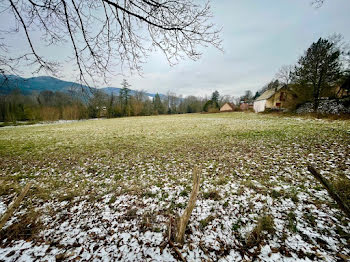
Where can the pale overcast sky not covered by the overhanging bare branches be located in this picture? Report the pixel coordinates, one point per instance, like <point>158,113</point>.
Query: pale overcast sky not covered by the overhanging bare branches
<point>258,37</point>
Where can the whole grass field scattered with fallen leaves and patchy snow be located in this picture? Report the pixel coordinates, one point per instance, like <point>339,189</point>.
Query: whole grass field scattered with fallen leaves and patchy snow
<point>105,189</point>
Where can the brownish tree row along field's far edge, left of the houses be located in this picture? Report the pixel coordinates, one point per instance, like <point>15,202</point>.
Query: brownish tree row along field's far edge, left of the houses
<point>51,106</point>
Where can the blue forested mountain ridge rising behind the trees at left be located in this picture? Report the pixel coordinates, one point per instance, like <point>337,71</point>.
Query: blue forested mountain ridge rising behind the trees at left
<point>37,84</point>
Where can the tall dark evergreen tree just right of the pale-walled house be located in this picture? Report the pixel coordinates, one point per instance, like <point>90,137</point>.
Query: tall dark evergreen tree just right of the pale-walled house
<point>319,67</point>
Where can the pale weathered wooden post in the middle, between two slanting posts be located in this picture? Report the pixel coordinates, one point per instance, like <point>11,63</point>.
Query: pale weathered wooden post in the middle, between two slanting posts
<point>183,221</point>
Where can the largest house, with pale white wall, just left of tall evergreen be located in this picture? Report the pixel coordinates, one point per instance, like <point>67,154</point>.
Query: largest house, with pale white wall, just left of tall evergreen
<point>274,98</point>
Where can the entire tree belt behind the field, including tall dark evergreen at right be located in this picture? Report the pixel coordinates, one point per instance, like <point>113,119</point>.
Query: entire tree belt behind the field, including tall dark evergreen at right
<point>319,72</point>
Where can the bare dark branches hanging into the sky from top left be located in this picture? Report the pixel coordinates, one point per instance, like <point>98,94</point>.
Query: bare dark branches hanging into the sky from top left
<point>104,34</point>
